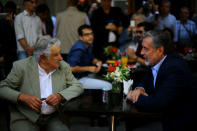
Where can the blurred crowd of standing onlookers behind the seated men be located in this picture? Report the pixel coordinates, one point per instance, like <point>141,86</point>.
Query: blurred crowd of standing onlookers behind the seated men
<point>111,26</point>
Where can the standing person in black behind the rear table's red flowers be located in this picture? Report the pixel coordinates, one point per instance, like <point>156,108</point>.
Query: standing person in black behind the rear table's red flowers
<point>106,22</point>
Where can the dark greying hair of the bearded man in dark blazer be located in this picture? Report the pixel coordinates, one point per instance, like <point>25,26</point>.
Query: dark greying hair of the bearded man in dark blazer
<point>160,38</point>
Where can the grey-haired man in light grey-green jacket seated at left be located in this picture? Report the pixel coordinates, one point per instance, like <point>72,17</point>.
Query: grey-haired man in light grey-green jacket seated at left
<point>37,85</point>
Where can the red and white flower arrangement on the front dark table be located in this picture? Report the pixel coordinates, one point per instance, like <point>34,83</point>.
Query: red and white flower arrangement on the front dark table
<point>116,74</point>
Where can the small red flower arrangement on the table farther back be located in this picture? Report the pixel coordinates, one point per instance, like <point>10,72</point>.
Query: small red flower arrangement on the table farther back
<point>112,52</point>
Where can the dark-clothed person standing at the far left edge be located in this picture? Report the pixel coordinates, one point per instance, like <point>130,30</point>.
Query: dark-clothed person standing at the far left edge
<point>8,39</point>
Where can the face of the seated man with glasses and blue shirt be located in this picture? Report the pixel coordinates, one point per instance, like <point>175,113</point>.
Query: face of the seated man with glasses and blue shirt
<point>87,36</point>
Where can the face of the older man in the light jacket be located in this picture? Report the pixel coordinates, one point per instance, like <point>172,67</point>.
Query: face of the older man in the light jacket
<point>54,58</point>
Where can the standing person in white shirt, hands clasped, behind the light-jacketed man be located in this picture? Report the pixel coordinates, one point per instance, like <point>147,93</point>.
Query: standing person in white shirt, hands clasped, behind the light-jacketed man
<point>28,29</point>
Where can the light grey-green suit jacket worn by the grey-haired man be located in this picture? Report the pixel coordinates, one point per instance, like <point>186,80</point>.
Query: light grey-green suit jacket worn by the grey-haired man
<point>24,78</point>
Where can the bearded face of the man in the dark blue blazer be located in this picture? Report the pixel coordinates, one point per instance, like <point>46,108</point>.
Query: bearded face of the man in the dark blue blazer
<point>152,56</point>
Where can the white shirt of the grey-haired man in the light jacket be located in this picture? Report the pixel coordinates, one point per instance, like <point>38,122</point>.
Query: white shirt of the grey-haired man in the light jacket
<point>45,90</point>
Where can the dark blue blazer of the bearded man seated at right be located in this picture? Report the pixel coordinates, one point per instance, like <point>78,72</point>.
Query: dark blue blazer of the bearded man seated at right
<point>173,94</point>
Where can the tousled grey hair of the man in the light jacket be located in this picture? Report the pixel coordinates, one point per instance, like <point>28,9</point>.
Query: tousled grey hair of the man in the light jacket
<point>44,45</point>
